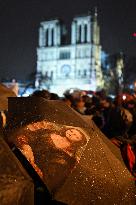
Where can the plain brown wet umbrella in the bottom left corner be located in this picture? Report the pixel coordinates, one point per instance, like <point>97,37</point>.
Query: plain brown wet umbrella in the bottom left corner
<point>16,187</point>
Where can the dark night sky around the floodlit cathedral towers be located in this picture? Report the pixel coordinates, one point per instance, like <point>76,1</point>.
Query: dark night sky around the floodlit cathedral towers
<point>20,20</point>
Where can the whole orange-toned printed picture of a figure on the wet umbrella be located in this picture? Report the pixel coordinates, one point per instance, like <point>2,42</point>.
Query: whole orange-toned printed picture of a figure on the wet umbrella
<point>52,149</point>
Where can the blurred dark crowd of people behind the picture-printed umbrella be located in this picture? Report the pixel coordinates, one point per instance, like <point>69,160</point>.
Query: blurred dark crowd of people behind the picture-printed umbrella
<point>115,117</point>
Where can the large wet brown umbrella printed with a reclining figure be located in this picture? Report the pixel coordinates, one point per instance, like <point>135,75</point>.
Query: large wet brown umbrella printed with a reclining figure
<point>76,162</point>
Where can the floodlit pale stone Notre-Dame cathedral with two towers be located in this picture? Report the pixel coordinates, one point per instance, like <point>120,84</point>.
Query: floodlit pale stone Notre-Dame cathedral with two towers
<point>65,65</point>
